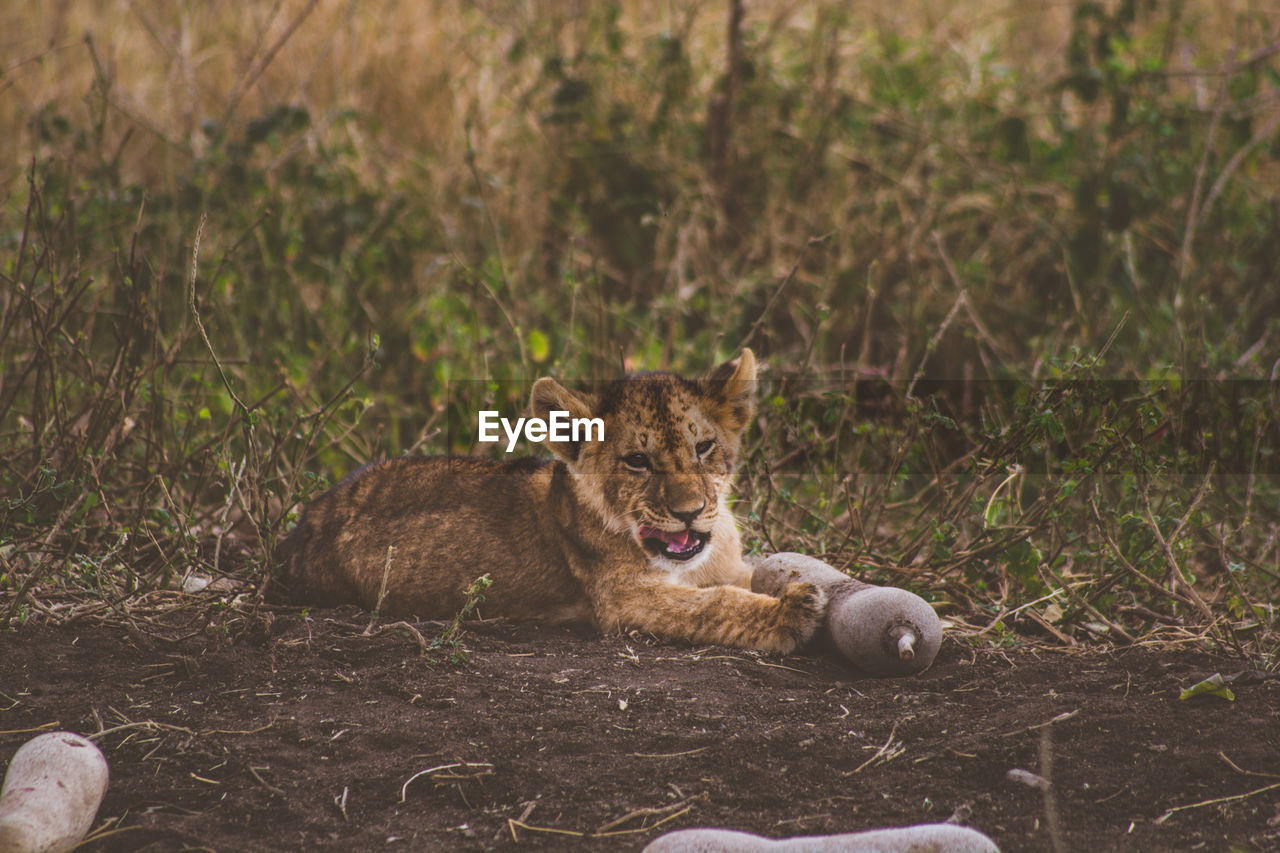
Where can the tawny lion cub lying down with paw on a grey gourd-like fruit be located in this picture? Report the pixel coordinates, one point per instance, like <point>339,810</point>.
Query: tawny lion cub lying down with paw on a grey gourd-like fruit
<point>629,532</point>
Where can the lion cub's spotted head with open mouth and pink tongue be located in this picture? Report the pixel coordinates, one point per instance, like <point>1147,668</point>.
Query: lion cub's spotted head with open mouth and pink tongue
<point>664,471</point>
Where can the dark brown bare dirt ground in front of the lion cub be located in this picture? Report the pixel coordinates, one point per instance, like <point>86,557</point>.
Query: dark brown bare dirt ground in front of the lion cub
<point>304,735</point>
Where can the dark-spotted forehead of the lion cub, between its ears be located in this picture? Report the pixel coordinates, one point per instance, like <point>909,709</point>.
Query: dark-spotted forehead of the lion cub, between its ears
<point>656,412</point>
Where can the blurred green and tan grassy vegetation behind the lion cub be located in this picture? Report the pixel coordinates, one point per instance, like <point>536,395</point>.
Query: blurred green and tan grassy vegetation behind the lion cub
<point>1014,267</point>
